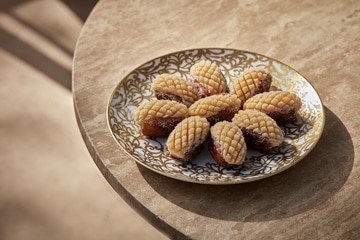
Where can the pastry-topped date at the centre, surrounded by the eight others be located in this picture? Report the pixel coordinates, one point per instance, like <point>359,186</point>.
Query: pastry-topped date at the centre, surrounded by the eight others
<point>216,108</point>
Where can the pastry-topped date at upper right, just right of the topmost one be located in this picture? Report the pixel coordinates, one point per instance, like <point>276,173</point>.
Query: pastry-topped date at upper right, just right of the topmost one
<point>250,83</point>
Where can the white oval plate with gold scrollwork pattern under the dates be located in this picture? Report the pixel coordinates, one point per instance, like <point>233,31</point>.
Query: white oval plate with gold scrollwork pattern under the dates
<point>135,89</point>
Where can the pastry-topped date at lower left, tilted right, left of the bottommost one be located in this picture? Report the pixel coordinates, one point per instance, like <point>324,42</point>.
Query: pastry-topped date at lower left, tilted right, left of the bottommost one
<point>188,138</point>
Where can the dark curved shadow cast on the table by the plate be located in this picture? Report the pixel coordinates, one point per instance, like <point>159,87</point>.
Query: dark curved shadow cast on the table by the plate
<point>302,187</point>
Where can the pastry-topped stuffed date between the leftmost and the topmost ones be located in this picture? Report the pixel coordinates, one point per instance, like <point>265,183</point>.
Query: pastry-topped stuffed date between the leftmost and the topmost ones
<point>173,87</point>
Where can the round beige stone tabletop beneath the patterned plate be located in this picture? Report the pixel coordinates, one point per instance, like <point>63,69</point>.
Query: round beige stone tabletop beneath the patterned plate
<point>318,198</point>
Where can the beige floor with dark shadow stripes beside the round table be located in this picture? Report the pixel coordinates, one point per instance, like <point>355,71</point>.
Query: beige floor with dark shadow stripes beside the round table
<point>50,187</point>
